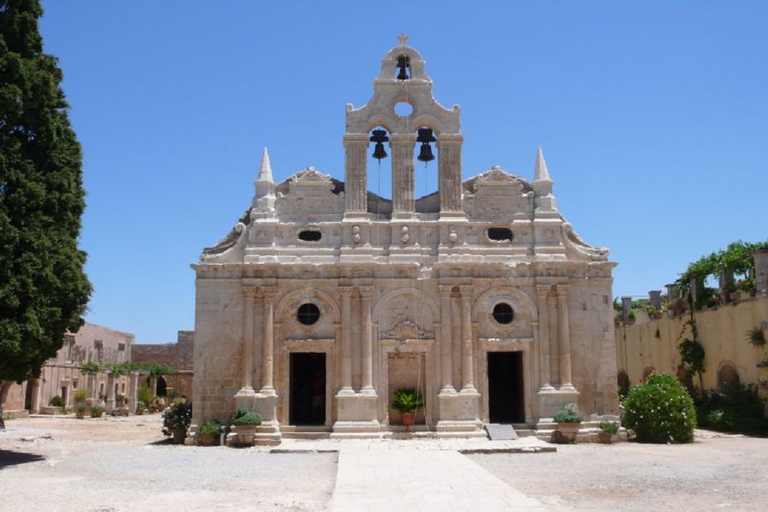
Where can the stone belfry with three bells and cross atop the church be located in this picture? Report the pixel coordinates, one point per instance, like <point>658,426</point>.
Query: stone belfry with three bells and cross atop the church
<point>402,85</point>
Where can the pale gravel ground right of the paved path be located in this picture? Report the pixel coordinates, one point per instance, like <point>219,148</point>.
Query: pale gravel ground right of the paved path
<point>717,471</point>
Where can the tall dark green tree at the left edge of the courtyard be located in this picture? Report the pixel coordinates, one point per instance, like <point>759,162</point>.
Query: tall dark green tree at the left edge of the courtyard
<point>43,288</point>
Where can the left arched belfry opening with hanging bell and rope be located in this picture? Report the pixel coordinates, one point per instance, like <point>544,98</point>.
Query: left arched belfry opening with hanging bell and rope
<point>379,171</point>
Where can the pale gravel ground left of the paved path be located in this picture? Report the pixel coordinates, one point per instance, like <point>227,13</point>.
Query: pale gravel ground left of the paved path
<point>113,464</point>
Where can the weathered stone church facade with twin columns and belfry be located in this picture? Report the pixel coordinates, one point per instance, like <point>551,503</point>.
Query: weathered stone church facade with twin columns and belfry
<point>325,298</point>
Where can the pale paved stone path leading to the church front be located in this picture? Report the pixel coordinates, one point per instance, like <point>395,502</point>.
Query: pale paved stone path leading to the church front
<point>420,480</point>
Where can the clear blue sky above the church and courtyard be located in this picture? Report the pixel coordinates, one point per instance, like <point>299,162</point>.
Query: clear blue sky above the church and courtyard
<point>653,117</point>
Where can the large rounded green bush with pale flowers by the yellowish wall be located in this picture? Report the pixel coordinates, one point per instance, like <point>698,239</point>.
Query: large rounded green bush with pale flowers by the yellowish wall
<point>660,411</point>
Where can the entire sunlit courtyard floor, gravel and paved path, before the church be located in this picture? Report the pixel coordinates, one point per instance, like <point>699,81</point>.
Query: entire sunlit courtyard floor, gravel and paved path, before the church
<point>112,463</point>
